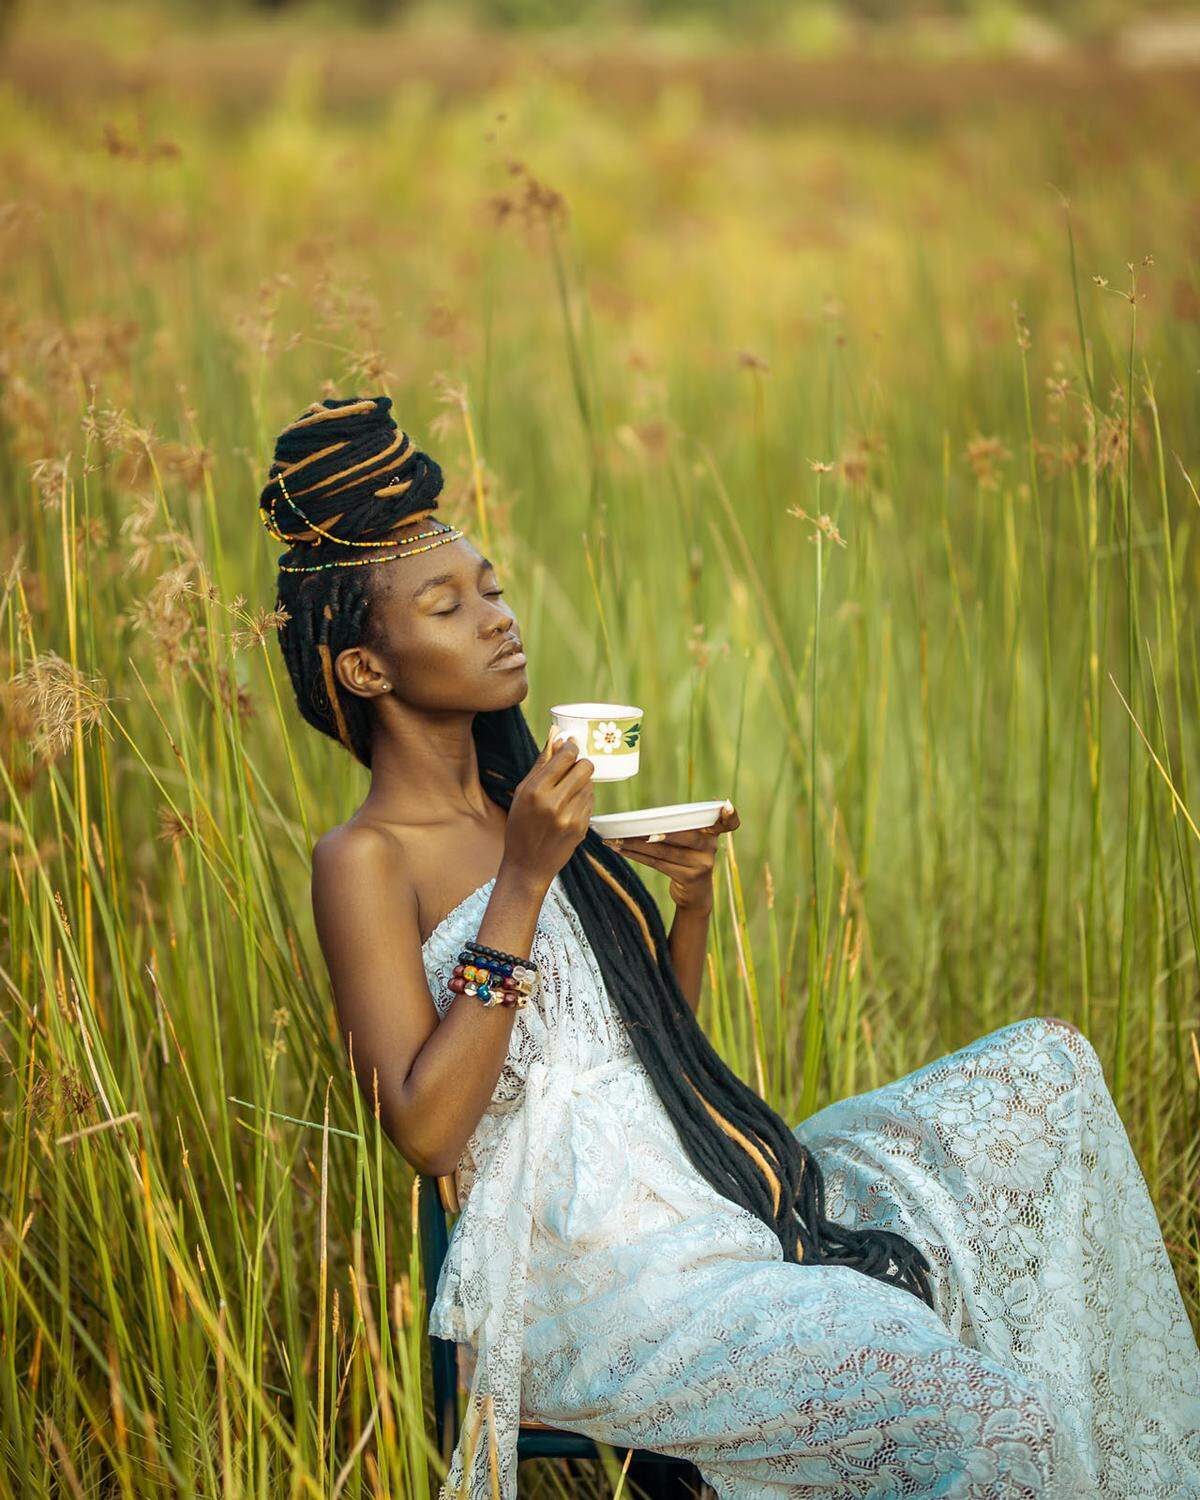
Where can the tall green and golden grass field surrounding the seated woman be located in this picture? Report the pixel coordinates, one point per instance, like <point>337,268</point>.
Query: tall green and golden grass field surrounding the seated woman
<point>850,430</point>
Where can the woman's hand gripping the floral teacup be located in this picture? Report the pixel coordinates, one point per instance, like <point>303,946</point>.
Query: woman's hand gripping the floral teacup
<point>551,809</point>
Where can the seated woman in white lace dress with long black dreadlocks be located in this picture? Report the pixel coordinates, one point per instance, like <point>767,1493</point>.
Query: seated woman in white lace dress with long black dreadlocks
<point>953,1286</point>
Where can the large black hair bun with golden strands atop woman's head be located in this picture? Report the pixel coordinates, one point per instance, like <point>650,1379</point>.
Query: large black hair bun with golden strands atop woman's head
<point>344,467</point>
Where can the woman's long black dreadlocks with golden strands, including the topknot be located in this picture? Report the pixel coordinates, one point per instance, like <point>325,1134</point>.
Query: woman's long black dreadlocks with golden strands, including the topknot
<point>338,461</point>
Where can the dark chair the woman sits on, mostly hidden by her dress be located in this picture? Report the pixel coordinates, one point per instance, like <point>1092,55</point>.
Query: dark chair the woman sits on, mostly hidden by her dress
<point>655,1474</point>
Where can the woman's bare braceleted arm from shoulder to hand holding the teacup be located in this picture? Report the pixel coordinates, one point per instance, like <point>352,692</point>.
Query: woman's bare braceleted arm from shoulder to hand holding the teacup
<point>436,1076</point>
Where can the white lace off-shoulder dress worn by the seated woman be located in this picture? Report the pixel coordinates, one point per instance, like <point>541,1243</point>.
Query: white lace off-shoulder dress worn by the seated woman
<point>608,1289</point>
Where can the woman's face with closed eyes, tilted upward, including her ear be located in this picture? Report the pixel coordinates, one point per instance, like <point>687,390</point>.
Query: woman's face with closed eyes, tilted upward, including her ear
<point>437,622</point>
